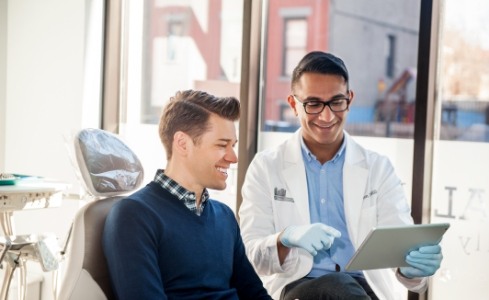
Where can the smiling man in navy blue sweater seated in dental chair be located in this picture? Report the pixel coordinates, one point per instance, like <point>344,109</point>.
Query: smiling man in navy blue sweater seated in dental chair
<point>169,240</point>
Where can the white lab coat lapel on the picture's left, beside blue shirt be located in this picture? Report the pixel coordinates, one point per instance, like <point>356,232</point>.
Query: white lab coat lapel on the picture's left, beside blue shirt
<point>295,177</point>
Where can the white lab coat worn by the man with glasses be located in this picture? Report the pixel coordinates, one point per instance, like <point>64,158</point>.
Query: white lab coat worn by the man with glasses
<point>373,195</point>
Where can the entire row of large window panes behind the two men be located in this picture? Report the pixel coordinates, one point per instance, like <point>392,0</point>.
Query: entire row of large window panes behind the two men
<point>342,27</point>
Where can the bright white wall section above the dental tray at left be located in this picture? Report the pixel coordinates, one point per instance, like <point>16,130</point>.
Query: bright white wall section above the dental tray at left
<point>44,83</point>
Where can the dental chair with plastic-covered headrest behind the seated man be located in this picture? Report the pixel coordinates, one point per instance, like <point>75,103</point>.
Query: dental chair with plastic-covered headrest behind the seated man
<point>109,170</point>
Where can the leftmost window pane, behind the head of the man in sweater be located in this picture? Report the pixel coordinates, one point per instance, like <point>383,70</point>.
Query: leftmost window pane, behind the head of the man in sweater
<point>170,46</point>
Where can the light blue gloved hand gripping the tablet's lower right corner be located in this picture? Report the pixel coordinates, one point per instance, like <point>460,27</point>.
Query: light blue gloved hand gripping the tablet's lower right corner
<point>423,262</point>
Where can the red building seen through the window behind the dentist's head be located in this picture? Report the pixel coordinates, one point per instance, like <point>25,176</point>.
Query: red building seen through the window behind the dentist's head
<point>288,24</point>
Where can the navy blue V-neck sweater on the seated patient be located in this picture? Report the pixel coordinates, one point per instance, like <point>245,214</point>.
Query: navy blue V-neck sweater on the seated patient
<point>156,248</point>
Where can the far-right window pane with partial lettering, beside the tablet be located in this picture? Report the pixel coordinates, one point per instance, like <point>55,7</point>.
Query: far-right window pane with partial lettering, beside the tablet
<point>460,193</point>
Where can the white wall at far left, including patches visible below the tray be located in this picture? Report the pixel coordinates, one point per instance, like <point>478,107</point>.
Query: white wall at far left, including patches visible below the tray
<point>42,61</point>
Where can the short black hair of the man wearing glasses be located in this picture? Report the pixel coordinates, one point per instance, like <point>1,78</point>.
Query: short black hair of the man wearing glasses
<point>322,63</point>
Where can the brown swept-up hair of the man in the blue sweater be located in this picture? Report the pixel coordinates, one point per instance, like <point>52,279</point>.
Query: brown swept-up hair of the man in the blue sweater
<point>189,111</point>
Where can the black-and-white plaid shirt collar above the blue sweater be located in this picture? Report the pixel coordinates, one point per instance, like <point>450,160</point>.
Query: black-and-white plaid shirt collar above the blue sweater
<point>187,197</point>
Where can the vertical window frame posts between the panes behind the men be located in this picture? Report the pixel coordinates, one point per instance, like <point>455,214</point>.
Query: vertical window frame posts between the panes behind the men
<point>251,88</point>
